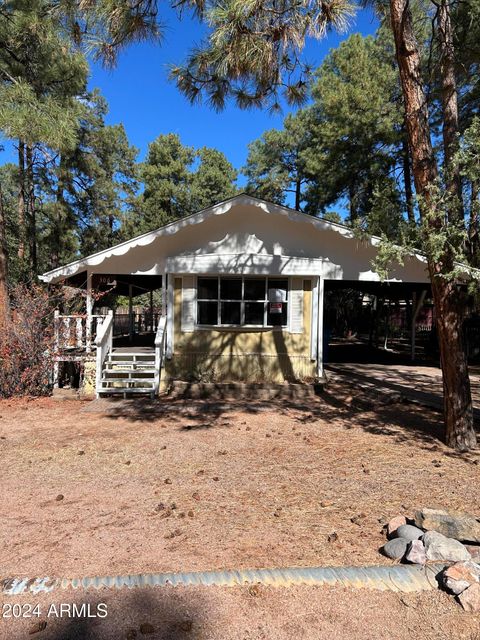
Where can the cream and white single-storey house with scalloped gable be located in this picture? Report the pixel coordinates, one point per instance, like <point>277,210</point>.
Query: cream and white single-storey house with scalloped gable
<point>242,285</point>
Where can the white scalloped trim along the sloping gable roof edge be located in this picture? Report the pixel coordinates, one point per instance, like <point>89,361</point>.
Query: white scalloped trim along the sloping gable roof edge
<point>80,265</point>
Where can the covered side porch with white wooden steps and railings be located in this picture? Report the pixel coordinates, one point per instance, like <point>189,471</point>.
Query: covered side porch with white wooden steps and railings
<point>117,351</point>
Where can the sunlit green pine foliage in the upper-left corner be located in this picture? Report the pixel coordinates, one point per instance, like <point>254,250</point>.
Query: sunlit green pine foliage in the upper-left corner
<point>40,75</point>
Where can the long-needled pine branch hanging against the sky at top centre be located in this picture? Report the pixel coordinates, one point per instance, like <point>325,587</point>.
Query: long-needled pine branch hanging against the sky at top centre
<point>252,52</point>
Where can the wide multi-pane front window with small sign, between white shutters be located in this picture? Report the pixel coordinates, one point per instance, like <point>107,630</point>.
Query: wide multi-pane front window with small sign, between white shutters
<point>235,301</point>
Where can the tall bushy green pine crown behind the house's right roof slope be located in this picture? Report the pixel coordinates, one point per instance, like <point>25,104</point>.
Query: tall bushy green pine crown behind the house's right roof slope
<point>356,126</point>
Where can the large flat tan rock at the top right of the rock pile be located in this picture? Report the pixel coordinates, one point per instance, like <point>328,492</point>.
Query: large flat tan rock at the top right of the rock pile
<point>453,524</point>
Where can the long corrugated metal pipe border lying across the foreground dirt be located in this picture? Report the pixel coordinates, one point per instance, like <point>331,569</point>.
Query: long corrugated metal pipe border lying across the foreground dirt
<point>404,578</point>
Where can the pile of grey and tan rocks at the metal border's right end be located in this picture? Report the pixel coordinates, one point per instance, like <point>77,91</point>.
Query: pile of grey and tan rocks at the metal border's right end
<point>435,535</point>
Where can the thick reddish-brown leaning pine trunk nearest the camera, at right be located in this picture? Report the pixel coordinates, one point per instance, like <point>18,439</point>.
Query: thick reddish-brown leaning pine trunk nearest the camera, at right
<point>458,413</point>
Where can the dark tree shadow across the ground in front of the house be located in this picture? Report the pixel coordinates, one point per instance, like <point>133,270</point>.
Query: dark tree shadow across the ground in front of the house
<point>373,411</point>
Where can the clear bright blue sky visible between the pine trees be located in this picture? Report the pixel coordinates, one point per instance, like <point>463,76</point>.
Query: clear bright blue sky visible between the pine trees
<point>140,95</point>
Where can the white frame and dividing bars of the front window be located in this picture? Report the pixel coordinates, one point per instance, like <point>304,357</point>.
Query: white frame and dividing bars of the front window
<point>242,301</point>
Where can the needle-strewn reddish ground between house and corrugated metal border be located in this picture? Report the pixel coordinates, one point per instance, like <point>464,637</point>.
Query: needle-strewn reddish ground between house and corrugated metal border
<point>185,486</point>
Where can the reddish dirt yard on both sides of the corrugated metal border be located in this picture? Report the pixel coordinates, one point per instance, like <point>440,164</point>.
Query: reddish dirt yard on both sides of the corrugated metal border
<point>101,489</point>
